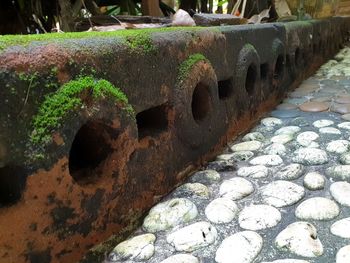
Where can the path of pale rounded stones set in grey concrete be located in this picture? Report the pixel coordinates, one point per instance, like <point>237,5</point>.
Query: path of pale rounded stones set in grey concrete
<point>280,193</point>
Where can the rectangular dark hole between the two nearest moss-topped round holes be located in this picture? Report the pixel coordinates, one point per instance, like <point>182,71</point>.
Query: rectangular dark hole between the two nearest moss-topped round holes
<point>152,122</point>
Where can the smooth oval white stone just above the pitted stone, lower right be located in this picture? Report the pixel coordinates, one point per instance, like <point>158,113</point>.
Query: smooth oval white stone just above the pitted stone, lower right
<point>317,208</point>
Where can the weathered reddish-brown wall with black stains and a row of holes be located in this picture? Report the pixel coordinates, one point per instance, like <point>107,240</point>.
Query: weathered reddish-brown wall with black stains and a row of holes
<point>56,208</point>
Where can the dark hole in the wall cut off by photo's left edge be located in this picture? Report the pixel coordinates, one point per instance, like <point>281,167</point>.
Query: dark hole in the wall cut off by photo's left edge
<point>12,183</point>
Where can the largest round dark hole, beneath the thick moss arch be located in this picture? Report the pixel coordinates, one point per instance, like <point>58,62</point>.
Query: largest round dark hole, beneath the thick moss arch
<point>89,149</point>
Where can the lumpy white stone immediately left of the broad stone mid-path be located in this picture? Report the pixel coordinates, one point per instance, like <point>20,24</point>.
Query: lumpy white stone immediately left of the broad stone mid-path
<point>236,188</point>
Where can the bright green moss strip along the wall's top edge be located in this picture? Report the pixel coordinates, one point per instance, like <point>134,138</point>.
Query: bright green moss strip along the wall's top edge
<point>135,38</point>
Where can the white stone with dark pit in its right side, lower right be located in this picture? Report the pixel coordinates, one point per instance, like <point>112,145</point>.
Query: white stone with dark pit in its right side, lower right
<point>301,239</point>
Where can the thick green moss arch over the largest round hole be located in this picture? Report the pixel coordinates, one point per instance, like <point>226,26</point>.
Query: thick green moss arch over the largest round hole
<point>66,99</point>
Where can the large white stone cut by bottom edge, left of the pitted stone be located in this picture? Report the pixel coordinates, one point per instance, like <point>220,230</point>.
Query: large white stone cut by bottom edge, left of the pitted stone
<point>242,247</point>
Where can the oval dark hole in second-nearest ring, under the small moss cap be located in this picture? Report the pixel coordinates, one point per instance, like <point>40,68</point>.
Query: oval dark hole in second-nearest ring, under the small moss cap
<point>201,102</point>
